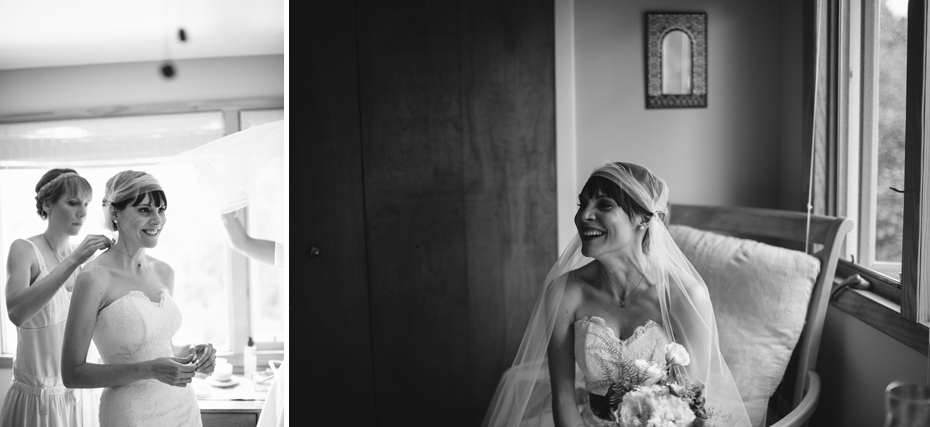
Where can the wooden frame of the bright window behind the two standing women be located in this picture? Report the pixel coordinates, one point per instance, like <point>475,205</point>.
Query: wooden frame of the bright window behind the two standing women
<point>237,264</point>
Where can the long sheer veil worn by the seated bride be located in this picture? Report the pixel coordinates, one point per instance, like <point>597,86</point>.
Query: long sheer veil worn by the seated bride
<point>524,394</point>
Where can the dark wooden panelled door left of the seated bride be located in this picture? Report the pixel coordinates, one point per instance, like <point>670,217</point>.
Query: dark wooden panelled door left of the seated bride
<point>437,187</point>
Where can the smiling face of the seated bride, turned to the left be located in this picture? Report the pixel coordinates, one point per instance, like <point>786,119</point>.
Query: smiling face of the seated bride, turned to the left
<point>603,226</point>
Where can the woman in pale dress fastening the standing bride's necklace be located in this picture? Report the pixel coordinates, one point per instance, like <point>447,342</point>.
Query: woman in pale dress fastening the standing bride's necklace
<point>40,276</point>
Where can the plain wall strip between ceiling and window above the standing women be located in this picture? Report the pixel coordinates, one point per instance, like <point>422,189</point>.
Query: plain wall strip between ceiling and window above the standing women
<point>80,87</point>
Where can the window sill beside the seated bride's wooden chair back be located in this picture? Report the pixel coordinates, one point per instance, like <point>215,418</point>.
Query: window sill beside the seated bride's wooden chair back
<point>882,314</point>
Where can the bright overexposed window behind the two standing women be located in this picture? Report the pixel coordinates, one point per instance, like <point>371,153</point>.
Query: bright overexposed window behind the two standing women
<point>211,281</point>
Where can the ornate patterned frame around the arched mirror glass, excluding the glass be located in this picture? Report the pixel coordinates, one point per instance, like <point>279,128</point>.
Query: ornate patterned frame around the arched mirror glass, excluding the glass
<point>657,26</point>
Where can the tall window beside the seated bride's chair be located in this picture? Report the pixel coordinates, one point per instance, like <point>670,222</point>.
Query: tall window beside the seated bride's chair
<point>887,142</point>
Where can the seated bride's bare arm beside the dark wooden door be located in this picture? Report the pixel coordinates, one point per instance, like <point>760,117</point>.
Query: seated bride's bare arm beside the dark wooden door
<point>562,361</point>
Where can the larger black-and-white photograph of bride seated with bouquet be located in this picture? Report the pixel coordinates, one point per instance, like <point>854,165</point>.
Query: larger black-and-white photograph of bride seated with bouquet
<point>616,213</point>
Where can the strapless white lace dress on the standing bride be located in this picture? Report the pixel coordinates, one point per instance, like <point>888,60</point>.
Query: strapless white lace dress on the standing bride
<point>134,329</point>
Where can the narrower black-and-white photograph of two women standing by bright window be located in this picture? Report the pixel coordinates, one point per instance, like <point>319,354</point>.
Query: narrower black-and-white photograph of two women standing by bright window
<point>114,118</point>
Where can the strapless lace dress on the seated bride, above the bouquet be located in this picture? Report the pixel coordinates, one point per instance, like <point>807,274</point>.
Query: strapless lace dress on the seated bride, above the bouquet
<point>605,359</point>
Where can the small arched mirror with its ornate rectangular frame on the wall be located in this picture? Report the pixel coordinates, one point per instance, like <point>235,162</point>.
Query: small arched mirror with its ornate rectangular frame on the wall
<point>676,60</point>
